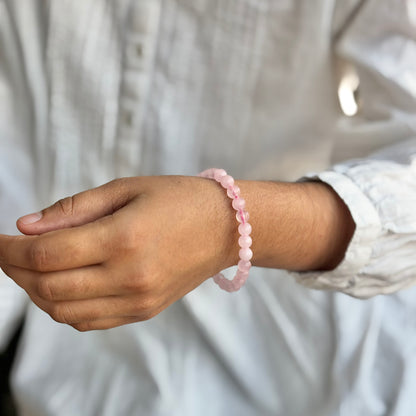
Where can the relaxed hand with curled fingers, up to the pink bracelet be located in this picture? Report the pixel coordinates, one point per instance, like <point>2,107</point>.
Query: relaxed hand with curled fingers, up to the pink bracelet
<point>122,252</point>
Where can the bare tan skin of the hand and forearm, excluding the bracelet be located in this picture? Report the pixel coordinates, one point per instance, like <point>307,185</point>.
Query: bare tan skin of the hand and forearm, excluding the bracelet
<point>123,252</point>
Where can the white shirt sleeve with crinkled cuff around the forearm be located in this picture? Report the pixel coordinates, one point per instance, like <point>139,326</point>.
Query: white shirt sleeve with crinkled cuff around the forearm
<point>379,41</point>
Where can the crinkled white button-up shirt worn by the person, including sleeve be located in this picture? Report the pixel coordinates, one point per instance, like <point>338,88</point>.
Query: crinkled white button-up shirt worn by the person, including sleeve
<point>97,89</point>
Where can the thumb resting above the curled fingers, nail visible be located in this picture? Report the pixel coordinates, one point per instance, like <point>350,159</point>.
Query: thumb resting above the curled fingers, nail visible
<point>77,210</point>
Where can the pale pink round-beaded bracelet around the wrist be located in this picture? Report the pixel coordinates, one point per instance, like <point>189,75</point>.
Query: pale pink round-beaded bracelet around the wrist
<point>245,241</point>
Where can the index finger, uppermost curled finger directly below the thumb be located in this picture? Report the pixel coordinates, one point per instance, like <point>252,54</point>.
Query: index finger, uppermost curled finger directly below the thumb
<point>59,250</point>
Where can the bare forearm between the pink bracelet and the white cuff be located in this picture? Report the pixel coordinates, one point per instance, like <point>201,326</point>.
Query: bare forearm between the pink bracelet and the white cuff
<point>297,226</point>
